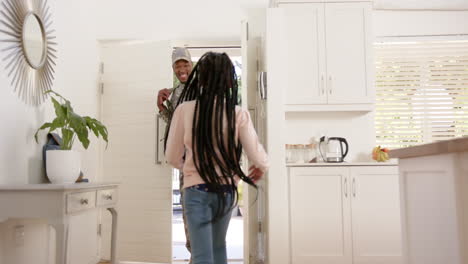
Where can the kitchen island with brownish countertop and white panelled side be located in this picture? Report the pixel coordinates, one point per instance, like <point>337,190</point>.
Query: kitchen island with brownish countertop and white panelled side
<point>434,191</point>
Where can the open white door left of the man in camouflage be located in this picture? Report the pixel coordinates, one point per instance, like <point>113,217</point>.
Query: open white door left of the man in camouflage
<point>132,75</point>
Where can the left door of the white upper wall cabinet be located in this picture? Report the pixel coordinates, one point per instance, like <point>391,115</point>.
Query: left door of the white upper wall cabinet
<point>304,36</point>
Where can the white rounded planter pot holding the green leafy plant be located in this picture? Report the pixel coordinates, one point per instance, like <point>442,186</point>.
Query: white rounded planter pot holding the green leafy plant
<point>63,166</point>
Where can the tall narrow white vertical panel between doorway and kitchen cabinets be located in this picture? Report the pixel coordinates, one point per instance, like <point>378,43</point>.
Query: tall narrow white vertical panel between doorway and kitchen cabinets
<point>278,219</point>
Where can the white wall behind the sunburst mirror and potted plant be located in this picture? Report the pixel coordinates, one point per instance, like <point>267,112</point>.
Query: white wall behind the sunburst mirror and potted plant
<point>76,78</point>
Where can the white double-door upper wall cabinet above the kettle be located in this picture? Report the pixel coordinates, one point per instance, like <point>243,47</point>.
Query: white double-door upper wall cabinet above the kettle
<point>328,59</point>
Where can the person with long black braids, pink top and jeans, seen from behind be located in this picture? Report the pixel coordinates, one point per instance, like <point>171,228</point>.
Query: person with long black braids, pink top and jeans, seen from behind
<point>207,134</point>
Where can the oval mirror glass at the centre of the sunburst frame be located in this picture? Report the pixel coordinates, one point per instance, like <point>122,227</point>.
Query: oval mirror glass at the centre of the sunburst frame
<point>34,44</point>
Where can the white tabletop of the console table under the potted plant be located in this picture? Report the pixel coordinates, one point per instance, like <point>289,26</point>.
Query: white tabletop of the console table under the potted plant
<point>56,187</point>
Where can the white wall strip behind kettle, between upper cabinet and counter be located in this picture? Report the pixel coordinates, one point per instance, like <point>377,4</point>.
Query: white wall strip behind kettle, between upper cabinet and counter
<point>356,127</point>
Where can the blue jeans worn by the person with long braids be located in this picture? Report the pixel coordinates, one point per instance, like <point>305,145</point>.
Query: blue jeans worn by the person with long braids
<point>207,239</point>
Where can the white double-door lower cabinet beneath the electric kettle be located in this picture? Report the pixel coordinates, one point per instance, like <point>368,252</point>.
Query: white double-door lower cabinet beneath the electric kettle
<point>345,214</point>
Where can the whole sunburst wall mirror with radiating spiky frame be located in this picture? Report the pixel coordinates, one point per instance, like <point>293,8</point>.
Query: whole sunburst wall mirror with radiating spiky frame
<point>28,50</point>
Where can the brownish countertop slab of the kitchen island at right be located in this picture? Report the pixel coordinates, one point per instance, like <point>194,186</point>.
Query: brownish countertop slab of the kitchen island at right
<point>441,147</point>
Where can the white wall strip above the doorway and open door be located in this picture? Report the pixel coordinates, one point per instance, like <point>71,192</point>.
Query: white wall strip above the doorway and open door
<point>173,20</point>
